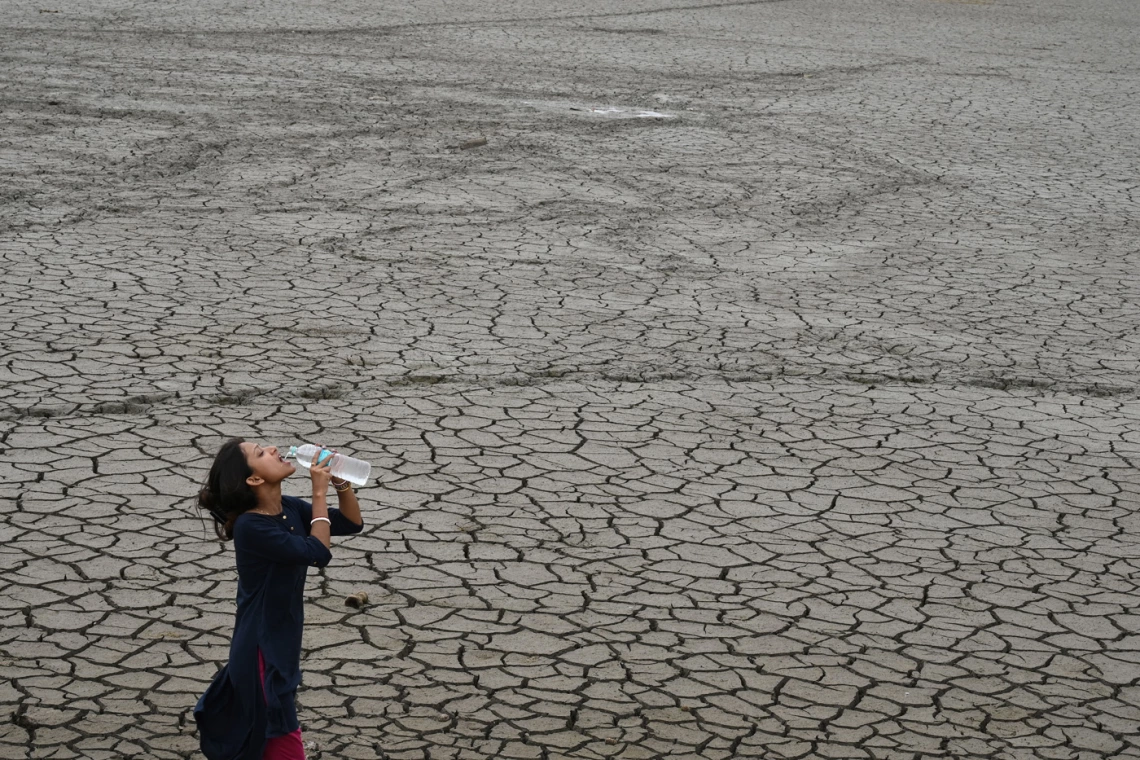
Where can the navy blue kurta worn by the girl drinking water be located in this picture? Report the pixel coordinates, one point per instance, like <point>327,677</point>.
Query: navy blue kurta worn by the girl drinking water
<point>274,553</point>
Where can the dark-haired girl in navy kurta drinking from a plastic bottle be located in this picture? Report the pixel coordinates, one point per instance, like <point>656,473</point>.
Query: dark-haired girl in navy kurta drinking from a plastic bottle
<point>248,713</point>
